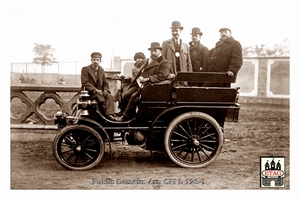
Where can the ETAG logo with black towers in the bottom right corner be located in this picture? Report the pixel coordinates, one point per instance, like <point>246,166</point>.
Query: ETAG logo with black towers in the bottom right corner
<point>272,171</point>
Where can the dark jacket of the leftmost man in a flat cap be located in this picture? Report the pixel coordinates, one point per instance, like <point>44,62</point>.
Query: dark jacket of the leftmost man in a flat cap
<point>90,81</point>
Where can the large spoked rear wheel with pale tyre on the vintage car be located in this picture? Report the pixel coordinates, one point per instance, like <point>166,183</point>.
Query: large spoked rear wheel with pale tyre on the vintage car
<point>193,140</point>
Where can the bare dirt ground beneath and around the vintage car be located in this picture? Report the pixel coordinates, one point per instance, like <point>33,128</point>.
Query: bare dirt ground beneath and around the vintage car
<point>262,130</point>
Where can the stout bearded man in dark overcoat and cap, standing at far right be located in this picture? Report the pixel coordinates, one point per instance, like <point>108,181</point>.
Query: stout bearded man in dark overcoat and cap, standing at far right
<point>226,56</point>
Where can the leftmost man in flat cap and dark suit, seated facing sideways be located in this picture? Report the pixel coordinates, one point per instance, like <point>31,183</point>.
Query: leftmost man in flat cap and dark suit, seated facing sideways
<point>93,79</point>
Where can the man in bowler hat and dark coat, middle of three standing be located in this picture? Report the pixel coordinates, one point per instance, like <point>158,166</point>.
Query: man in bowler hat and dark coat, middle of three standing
<point>199,53</point>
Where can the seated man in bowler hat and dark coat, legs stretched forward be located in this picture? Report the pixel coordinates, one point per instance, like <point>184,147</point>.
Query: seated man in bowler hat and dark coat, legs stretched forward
<point>154,70</point>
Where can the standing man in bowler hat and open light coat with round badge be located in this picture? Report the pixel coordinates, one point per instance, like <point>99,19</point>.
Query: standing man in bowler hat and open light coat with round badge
<point>176,51</point>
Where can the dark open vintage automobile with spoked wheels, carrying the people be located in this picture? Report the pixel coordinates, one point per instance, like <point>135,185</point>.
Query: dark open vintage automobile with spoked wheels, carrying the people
<point>187,122</point>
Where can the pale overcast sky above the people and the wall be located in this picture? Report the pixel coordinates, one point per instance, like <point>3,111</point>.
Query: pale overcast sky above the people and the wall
<point>121,28</point>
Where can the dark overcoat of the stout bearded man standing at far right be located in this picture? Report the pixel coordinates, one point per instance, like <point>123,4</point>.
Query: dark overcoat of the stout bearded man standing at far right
<point>226,56</point>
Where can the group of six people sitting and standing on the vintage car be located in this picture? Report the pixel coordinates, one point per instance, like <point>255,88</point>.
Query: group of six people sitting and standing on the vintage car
<point>172,56</point>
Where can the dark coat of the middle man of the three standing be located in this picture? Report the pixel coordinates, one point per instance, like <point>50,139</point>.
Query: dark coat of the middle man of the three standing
<point>199,57</point>
